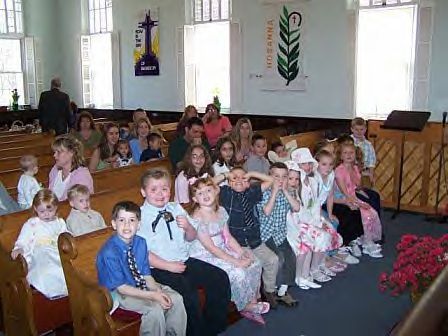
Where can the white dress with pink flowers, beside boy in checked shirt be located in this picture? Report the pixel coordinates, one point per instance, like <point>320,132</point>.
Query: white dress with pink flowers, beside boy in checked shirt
<point>308,230</point>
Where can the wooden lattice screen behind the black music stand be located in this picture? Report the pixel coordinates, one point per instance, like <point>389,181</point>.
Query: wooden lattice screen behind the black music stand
<point>420,168</point>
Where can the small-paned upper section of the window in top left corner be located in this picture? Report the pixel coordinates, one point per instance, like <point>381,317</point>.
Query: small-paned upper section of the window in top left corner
<point>11,17</point>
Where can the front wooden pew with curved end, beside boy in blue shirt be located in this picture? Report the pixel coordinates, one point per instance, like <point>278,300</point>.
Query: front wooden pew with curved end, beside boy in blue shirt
<point>89,302</point>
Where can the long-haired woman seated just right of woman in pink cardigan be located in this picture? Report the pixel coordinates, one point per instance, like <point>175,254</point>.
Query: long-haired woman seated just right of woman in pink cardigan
<point>105,156</point>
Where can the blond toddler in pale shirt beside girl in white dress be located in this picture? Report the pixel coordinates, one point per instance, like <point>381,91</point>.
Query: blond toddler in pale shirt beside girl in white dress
<point>82,219</point>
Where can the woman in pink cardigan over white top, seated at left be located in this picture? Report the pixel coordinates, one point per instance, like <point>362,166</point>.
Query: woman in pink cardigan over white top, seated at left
<point>69,167</point>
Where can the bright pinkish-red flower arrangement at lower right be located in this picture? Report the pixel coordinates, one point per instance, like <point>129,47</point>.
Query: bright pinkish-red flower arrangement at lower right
<point>420,260</point>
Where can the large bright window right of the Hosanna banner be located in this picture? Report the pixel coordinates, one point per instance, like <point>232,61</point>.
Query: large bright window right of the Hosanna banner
<point>386,40</point>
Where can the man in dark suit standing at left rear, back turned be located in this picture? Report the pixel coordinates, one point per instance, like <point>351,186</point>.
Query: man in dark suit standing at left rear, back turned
<point>54,109</point>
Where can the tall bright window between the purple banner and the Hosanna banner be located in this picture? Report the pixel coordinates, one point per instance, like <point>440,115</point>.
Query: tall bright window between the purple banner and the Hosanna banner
<point>207,54</point>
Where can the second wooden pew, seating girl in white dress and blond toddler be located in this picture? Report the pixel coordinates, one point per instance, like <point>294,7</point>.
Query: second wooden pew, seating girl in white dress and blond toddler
<point>25,311</point>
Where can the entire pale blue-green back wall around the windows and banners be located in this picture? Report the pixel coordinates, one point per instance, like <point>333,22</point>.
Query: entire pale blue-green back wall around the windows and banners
<point>328,58</point>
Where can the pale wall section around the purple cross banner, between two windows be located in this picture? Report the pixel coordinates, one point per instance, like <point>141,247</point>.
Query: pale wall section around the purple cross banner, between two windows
<point>152,92</point>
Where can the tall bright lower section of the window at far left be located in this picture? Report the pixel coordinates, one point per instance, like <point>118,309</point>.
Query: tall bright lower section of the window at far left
<point>11,73</point>
